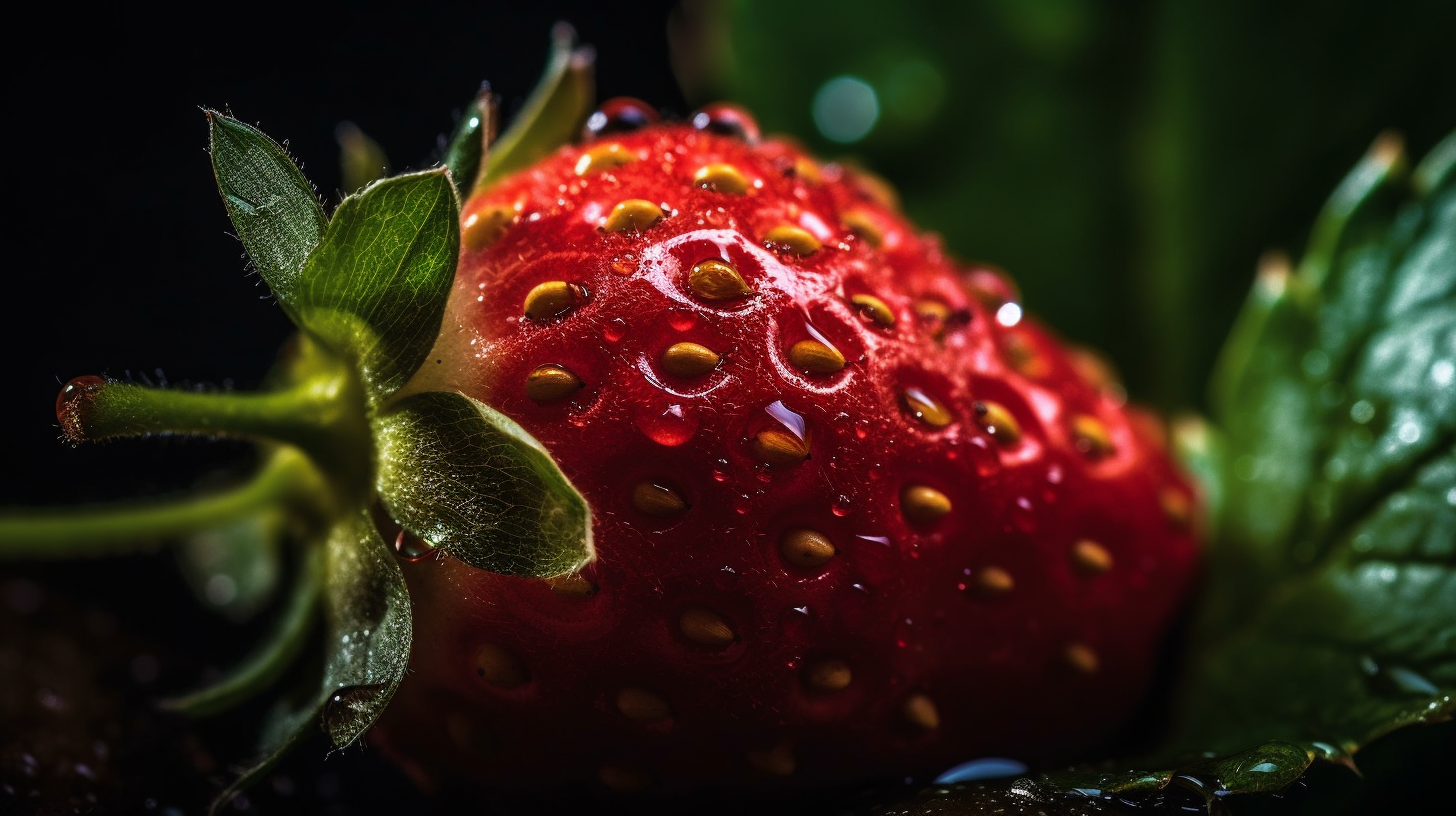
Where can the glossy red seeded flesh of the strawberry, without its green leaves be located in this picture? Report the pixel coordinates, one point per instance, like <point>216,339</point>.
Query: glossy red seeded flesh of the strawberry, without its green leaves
<point>855,515</point>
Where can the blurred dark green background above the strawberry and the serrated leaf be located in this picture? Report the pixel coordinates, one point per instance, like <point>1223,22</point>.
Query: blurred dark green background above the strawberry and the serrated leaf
<point>1128,162</point>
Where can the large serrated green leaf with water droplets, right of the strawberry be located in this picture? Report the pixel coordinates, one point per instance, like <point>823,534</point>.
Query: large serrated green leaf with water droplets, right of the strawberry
<point>1332,605</point>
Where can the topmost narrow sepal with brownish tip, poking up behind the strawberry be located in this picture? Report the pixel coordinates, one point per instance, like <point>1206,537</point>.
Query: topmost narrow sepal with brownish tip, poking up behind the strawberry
<point>553,116</point>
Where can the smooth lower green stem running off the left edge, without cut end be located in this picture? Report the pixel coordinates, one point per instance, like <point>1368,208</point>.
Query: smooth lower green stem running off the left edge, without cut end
<point>286,479</point>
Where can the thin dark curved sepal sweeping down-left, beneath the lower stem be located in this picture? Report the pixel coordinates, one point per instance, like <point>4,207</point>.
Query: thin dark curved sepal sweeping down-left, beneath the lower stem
<point>273,655</point>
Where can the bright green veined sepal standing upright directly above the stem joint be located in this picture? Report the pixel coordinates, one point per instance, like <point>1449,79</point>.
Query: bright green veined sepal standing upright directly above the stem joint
<point>375,289</point>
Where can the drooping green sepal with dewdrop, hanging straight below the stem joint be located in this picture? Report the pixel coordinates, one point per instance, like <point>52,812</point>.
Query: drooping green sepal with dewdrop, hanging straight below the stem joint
<point>368,639</point>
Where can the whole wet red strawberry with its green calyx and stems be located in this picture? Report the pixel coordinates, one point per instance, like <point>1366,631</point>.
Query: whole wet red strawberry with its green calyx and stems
<point>672,458</point>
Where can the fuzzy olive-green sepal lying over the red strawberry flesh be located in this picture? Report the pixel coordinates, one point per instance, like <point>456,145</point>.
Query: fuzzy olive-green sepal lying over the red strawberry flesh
<point>470,480</point>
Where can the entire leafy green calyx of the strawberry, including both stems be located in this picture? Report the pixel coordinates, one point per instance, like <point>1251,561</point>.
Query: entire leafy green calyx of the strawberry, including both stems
<point>347,455</point>
